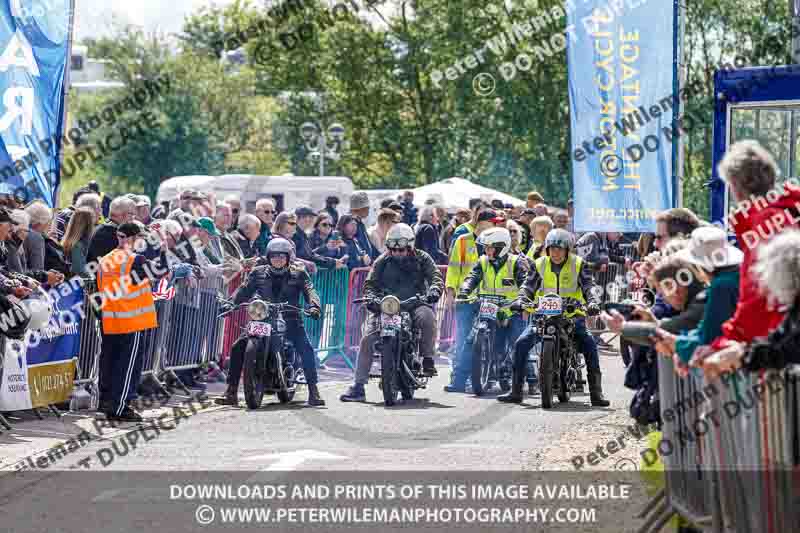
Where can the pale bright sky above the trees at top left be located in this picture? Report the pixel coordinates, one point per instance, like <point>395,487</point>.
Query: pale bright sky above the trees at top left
<point>93,17</point>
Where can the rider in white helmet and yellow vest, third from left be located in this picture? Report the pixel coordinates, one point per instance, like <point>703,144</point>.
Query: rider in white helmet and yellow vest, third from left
<point>496,273</point>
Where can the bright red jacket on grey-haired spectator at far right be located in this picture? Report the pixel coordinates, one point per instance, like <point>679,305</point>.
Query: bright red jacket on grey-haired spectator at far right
<point>753,227</point>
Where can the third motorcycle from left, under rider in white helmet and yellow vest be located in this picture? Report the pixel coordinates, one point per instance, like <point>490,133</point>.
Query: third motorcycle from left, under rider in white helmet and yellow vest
<point>488,363</point>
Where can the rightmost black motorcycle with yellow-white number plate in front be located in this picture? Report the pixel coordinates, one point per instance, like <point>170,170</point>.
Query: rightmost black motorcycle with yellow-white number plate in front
<point>560,363</point>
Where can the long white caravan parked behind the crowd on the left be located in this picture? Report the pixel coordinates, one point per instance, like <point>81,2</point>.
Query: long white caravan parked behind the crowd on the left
<point>288,191</point>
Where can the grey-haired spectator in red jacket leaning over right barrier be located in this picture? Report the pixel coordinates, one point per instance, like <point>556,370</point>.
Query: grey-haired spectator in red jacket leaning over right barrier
<point>763,211</point>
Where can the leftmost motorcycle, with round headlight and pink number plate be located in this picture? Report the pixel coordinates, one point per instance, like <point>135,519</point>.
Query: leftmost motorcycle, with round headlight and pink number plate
<point>271,362</point>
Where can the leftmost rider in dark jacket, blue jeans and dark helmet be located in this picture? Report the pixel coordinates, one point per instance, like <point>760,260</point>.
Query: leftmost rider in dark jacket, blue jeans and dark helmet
<point>281,280</point>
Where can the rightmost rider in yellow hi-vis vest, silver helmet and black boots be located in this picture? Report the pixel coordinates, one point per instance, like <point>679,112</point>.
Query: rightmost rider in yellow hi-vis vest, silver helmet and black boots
<point>562,273</point>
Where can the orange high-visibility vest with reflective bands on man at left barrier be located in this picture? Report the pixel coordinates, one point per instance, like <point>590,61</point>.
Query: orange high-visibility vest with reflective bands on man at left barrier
<point>127,307</point>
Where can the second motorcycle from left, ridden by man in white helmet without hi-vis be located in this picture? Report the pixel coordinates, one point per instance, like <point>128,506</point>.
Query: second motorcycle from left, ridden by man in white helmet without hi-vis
<point>398,348</point>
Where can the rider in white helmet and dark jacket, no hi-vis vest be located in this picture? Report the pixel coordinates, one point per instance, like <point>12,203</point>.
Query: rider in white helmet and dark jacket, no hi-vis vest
<point>404,272</point>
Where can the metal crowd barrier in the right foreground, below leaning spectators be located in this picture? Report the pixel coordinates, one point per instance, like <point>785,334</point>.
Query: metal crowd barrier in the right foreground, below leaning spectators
<point>731,453</point>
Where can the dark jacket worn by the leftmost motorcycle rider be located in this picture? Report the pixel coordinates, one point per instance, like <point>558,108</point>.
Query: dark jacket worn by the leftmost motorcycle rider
<point>287,287</point>
